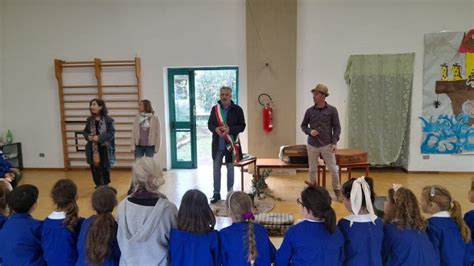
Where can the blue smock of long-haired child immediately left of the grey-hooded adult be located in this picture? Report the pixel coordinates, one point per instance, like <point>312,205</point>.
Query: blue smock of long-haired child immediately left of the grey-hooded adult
<point>114,251</point>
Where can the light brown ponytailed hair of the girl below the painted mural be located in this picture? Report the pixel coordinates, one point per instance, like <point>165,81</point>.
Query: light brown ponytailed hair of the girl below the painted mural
<point>441,196</point>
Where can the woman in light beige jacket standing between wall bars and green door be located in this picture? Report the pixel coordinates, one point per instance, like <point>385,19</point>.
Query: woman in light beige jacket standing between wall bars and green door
<point>146,131</point>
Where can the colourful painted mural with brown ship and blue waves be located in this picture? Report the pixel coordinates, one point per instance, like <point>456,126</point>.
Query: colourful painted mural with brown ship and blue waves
<point>448,93</point>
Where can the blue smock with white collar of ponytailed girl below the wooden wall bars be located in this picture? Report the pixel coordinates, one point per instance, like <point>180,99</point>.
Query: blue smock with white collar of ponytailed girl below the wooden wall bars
<point>58,242</point>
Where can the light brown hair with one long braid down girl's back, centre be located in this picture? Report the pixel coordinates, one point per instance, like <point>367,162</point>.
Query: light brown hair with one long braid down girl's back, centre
<point>240,206</point>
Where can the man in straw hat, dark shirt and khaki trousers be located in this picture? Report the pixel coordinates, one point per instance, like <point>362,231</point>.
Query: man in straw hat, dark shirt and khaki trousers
<point>321,124</point>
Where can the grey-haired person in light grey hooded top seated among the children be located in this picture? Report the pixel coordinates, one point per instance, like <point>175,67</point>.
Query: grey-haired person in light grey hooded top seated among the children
<point>145,218</point>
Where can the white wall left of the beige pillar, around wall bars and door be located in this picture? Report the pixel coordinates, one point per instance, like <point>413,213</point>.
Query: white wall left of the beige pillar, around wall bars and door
<point>163,33</point>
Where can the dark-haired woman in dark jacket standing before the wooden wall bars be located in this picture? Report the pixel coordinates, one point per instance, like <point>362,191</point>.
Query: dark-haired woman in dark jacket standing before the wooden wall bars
<point>100,148</point>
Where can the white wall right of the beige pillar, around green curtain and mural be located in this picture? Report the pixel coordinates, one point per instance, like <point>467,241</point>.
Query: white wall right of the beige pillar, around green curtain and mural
<point>330,31</point>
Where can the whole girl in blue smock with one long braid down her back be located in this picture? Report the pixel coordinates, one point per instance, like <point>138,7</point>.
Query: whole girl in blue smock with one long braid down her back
<point>244,242</point>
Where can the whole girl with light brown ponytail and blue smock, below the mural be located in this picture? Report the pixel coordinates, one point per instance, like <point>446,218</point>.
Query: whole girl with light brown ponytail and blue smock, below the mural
<point>446,228</point>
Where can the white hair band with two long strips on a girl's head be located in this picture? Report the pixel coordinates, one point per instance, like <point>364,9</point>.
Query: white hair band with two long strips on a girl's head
<point>361,189</point>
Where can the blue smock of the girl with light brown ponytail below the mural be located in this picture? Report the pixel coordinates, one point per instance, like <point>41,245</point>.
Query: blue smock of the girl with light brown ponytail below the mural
<point>445,235</point>
